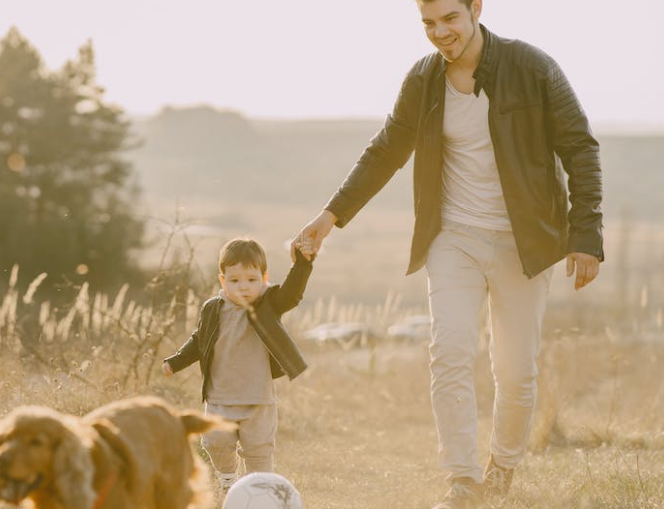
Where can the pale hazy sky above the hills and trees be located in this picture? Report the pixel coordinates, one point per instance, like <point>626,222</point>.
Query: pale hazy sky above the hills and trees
<point>334,58</point>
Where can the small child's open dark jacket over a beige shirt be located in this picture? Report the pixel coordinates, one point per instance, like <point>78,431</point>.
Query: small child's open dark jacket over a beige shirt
<point>285,358</point>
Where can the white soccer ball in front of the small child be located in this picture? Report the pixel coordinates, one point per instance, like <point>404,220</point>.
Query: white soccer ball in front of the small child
<point>263,490</point>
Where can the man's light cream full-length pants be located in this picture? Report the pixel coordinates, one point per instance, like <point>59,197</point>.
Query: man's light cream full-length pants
<point>465,265</point>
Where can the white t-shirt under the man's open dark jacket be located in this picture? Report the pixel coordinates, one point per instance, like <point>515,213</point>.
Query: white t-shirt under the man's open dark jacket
<point>472,193</point>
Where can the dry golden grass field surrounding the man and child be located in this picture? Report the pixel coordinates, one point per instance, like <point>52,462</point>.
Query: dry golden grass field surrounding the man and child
<point>356,429</point>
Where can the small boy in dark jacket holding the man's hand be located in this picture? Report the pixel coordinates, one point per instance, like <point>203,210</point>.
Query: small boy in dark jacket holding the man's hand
<point>241,346</point>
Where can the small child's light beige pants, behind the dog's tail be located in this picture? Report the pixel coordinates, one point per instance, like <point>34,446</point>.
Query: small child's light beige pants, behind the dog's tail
<point>256,433</point>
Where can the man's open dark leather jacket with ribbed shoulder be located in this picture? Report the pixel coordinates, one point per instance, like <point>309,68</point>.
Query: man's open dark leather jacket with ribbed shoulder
<point>538,129</point>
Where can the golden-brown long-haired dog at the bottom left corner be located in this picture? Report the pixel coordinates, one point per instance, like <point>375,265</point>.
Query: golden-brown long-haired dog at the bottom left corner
<point>130,454</point>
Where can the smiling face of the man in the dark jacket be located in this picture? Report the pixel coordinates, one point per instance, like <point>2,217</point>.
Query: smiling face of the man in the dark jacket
<point>450,25</point>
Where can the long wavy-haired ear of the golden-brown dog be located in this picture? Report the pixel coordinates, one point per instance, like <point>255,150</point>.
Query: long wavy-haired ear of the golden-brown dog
<point>73,469</point>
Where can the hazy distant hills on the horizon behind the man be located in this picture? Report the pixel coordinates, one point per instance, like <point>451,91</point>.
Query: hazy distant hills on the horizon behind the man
<point>222,155</point>
